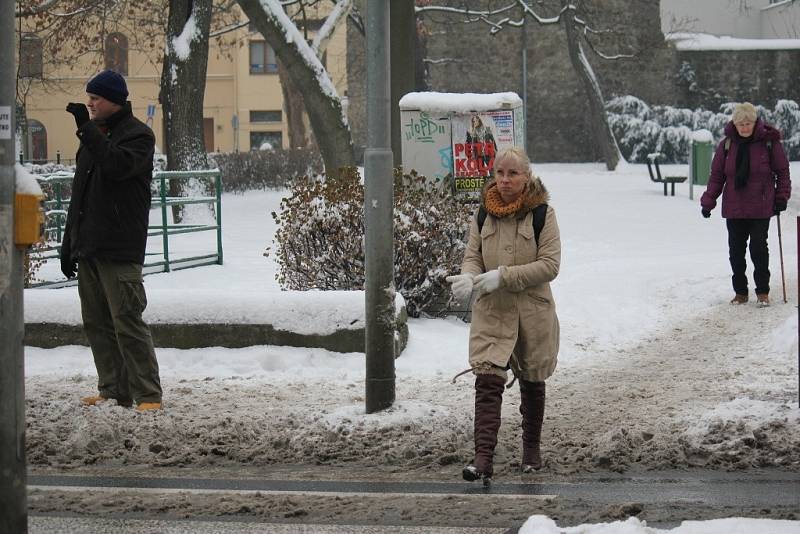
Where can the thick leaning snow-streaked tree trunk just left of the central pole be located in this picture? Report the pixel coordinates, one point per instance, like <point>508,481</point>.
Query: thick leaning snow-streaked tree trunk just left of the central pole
<point>323,105</point>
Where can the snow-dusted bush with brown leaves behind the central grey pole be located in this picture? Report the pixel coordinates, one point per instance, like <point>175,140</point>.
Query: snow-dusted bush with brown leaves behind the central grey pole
<point>320,237</point>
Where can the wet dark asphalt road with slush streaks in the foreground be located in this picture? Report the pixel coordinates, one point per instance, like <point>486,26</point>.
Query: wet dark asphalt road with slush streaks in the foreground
<point>717,494</point>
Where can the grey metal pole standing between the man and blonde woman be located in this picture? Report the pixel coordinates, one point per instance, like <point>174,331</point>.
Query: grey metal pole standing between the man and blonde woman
<point>378,205</point>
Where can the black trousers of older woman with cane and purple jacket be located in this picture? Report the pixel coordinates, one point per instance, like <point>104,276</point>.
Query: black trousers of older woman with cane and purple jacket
<point>739,231</point>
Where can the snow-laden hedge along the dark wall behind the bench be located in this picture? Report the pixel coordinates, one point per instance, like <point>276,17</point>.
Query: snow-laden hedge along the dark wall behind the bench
<point>642,129</point>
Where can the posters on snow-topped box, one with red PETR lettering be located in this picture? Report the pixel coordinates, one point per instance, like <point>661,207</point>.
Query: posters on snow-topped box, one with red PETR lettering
<point>476,139</point>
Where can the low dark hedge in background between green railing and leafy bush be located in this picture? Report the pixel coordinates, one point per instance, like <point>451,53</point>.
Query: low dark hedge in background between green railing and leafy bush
<point>265,169</point>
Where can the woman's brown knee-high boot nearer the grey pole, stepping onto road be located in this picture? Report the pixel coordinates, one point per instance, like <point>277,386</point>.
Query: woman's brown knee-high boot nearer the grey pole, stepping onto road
<point>488,402</point>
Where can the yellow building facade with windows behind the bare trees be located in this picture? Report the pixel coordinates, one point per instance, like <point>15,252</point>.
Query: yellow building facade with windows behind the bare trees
<point>243,104</point>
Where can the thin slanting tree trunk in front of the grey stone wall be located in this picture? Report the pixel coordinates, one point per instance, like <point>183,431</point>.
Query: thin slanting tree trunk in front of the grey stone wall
<point>597,111</point>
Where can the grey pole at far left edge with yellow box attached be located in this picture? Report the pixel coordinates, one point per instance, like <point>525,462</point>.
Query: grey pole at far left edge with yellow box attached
<point>13,499</point>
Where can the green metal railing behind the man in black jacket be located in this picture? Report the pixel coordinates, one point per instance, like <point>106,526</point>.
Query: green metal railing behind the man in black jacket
<point>57,193</point>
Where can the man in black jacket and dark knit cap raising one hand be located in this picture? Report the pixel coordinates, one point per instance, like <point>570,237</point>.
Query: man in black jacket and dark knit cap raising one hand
<point>105,238</point>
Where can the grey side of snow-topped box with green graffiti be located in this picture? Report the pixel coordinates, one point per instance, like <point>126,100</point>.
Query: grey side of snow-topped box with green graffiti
<point>425,143</point>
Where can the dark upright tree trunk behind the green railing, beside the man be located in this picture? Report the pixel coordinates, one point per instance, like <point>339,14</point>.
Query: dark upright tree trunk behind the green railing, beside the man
<point>183,86</point>
